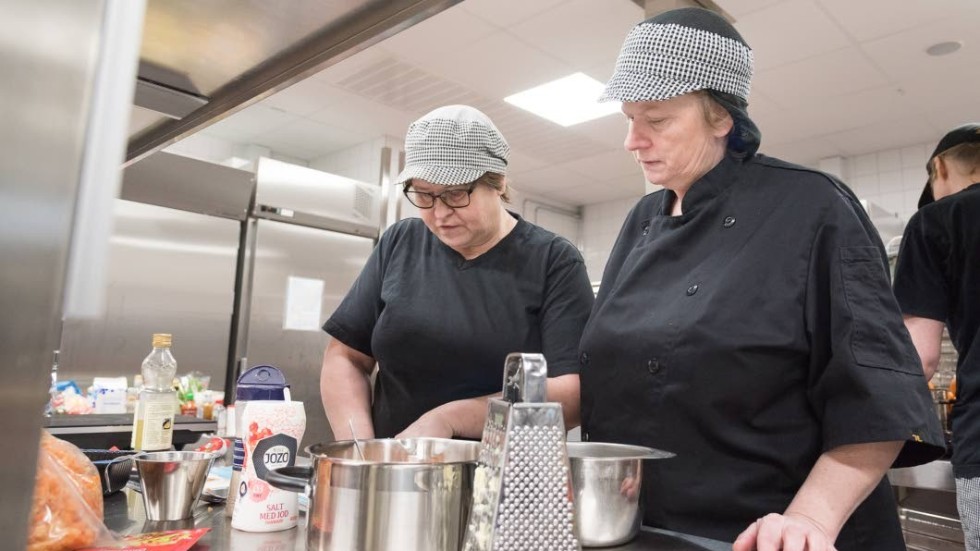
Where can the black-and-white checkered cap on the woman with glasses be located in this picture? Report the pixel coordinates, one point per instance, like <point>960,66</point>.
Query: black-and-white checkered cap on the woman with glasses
<point>453,145</point>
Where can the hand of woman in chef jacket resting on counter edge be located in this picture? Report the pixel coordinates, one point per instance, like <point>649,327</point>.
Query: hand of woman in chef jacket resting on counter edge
<point>787,532</point>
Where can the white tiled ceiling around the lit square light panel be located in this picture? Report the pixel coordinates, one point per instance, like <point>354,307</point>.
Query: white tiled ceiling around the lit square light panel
<point>833,77</point>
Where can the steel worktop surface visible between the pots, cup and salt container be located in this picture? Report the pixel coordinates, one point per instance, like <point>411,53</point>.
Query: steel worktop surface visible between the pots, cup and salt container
<point>124,514</point>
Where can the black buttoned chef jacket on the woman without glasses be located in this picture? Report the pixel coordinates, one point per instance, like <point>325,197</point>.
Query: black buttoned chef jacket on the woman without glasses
<point>749,335</point>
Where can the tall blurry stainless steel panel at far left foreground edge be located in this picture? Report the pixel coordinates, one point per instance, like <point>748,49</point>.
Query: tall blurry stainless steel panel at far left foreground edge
<point>50,53</point>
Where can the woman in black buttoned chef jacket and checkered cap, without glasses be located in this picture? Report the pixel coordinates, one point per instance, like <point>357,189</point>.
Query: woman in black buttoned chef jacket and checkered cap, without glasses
<point>745,320</point>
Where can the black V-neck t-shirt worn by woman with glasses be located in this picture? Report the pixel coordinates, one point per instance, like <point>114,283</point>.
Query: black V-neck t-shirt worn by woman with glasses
<point>440,326</point>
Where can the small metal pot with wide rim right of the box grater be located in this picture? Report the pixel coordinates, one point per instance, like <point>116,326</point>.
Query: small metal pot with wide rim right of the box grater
<point>607,479</point>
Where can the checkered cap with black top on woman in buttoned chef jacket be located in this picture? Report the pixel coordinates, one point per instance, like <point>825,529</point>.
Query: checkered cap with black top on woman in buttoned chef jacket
<point>678,52</point>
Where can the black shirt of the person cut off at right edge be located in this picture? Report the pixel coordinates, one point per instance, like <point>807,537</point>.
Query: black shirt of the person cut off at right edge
<point>938,277</point>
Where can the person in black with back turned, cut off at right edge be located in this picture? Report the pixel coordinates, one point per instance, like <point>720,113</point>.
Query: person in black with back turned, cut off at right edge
<point>937,282</point>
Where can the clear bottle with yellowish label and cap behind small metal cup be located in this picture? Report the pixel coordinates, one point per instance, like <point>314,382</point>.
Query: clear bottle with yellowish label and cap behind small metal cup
<point>153,421</point>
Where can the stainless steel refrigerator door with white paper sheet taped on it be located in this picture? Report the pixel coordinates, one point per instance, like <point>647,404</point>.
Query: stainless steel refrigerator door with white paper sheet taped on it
<point>300,275</point>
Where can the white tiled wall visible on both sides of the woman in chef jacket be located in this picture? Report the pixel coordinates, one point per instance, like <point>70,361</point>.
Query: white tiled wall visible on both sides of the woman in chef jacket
<point>891,179</point>
